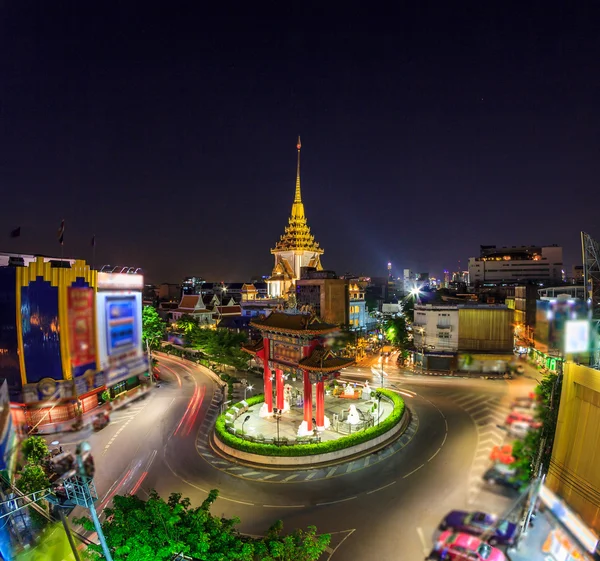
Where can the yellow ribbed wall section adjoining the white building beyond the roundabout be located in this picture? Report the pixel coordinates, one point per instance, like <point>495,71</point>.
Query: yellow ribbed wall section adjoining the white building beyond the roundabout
<point>485,329</point>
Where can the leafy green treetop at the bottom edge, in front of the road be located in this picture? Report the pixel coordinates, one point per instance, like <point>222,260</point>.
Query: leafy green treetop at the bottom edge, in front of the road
<point>157,530</point>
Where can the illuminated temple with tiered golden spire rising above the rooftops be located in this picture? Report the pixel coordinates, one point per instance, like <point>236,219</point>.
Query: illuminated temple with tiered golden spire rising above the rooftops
<point>295,249</point>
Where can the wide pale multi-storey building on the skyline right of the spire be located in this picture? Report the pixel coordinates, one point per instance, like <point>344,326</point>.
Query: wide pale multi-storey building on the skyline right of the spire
<point>516,264</point>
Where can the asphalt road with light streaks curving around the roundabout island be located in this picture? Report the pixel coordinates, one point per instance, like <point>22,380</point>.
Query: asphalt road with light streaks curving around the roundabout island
<point>386,509</point>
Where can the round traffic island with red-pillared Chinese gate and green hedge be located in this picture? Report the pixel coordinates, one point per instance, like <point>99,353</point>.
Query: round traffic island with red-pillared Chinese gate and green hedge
<point>350,420</point>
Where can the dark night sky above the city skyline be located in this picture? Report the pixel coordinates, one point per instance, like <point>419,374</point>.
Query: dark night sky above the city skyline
<point>169,131</point>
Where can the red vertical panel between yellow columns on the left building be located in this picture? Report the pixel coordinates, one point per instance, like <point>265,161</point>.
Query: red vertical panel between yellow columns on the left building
<point>81,329</point>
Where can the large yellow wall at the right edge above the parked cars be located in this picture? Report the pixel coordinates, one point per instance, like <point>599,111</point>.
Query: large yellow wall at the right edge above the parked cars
<point>574,472</point>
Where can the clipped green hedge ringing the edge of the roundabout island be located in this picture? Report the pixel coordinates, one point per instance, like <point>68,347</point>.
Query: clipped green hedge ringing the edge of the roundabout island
<point>313,448</point>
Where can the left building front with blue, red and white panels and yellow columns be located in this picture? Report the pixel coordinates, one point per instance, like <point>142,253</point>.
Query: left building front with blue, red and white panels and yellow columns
<point>67,333</point>
